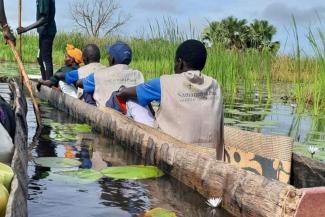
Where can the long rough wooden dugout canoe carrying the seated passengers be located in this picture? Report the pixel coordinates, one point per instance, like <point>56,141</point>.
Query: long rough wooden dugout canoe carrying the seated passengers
<point>244,193</point>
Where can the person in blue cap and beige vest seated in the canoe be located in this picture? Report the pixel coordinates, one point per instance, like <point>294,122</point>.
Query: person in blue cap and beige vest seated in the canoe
<point>102,84</point>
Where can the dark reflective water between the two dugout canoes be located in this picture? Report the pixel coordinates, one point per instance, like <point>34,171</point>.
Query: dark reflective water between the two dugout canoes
<point>51,196</point>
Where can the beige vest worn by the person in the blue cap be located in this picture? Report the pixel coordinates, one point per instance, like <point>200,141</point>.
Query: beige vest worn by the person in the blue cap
<point>111,79</point>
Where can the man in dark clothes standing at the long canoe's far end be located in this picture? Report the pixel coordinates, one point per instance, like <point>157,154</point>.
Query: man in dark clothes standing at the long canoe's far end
<point>46,28</point>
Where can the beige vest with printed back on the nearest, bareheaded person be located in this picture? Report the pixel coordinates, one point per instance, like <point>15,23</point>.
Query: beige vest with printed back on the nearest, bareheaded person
<point>191,109</point>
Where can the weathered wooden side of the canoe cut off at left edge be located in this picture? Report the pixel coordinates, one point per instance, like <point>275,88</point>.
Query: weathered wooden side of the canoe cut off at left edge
<point>17,203</point>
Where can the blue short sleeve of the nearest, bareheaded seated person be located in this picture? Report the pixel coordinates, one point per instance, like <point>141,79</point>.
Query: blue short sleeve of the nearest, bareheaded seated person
<point>148,92</point>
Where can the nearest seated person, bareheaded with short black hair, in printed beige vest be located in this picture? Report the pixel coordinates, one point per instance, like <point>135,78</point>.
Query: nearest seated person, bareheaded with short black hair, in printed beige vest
<point>191,104</point>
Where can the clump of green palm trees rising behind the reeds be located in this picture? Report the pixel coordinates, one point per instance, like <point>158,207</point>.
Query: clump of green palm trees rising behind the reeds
<point>235,33</point>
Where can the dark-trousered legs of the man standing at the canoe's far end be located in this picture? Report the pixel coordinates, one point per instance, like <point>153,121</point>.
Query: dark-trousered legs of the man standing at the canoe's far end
<point>46,54</point>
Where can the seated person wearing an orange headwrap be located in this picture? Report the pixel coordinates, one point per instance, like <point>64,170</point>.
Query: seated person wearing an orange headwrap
<point>73,58</point>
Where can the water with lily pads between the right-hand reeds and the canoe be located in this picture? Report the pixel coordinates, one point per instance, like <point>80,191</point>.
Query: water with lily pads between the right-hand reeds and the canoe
<point>277,116</point>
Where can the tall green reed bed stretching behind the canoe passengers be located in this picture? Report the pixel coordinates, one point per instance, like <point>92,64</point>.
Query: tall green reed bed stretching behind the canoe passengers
<point>250,70</point>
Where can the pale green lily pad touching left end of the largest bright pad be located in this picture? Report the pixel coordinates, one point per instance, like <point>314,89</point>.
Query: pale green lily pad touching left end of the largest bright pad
<point>83,176</point>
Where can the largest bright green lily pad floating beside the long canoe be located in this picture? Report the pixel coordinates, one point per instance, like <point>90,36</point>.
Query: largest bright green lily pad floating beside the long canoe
<point>132,172</point>
